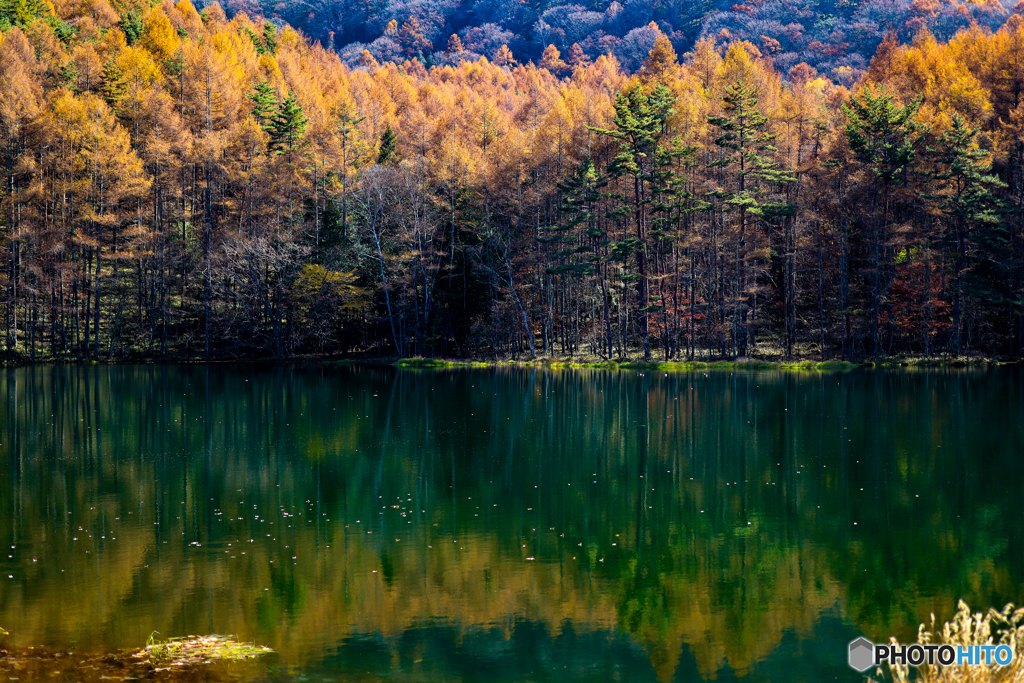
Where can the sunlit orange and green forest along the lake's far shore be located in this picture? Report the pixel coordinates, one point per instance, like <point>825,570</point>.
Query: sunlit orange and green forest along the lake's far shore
<point>181,185</point>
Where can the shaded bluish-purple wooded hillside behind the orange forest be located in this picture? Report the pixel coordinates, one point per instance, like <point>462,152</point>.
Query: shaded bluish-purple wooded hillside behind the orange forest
<point>837,39</point>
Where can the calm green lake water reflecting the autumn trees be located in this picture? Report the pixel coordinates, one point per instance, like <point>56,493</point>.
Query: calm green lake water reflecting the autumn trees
<point>375,525</point>
